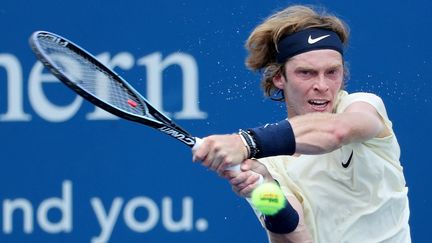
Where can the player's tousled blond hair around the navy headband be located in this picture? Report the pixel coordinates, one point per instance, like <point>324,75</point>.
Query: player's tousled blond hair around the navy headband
<point>262,43</point>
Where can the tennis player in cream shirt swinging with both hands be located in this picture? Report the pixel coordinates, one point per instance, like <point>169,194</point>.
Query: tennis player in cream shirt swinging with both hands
<point>335,157</point>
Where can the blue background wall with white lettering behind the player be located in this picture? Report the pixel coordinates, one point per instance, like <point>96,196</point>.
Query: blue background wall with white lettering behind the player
<point>69,174</point>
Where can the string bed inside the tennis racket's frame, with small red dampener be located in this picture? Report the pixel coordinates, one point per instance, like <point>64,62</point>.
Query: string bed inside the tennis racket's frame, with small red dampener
<point>93,79</point>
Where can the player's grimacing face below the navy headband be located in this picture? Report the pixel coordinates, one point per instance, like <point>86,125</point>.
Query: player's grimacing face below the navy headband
<point>312,81</point>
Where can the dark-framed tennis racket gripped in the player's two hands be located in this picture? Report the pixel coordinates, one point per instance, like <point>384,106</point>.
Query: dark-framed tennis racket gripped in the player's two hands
<point>88,77</point>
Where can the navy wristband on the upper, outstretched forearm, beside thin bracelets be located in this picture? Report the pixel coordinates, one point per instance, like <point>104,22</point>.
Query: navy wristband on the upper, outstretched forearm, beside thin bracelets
<point>274,139</point>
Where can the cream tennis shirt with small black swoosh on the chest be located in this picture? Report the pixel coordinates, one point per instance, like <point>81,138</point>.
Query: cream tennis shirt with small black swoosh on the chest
<point>354,194</point>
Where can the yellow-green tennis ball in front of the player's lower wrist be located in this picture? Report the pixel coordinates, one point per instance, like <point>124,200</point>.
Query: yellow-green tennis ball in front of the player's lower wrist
<point>268,198</point>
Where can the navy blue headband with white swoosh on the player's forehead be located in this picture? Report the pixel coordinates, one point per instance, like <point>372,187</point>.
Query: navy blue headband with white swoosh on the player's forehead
<point>308,40</point>
